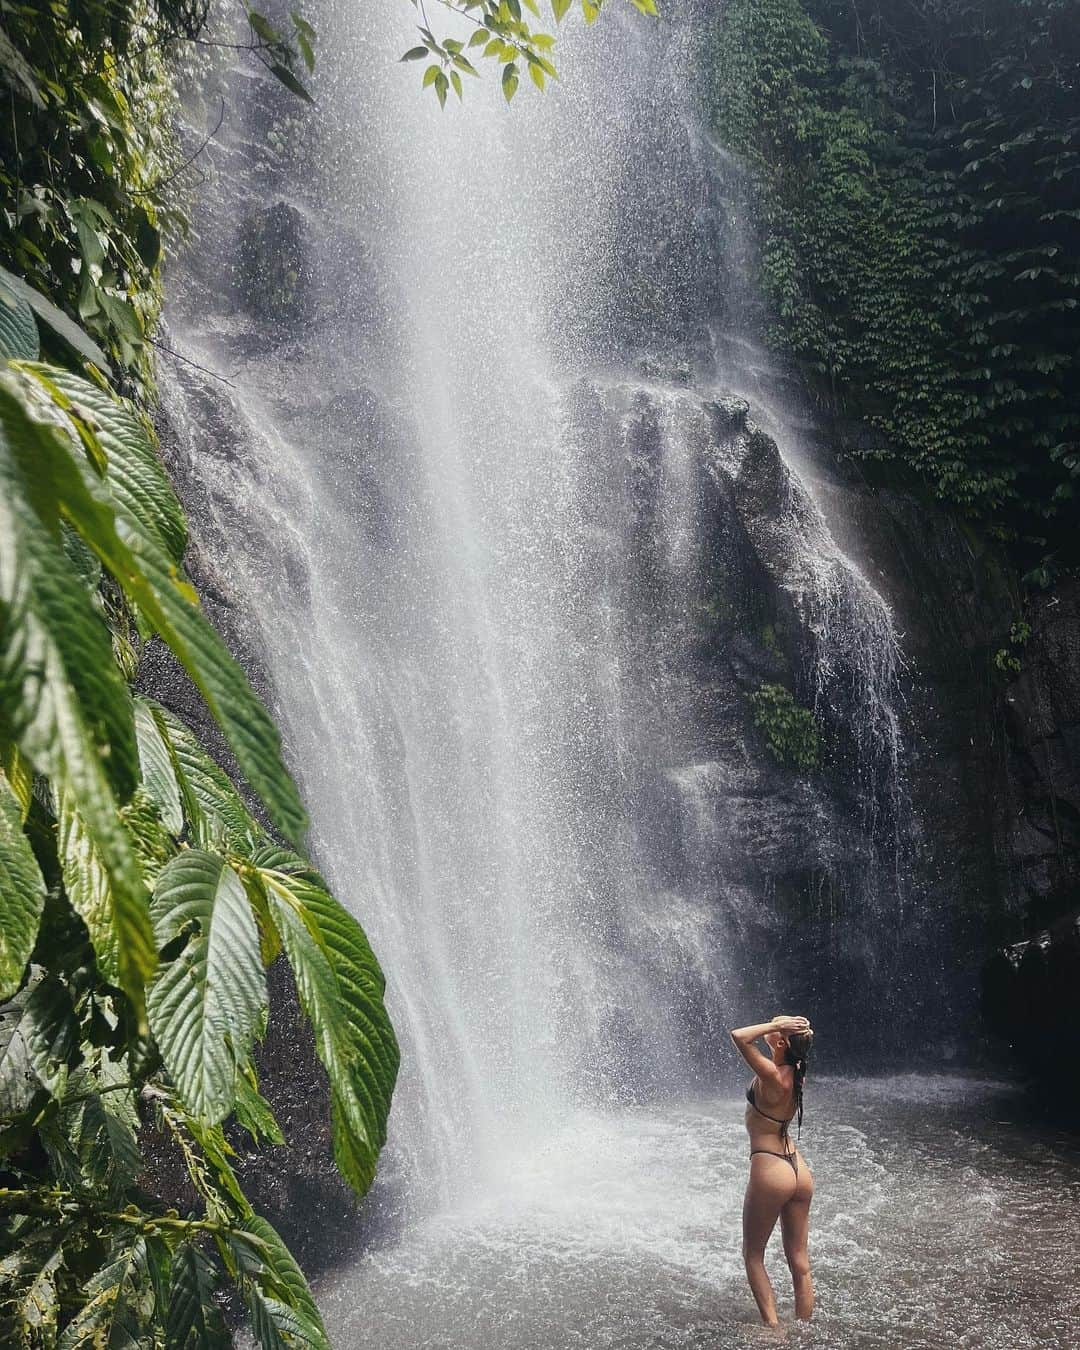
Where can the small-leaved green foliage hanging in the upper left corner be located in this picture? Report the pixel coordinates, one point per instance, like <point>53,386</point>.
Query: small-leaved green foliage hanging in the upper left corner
<point>84,152</point>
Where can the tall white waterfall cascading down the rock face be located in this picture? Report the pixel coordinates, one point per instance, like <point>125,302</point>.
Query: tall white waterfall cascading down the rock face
<point>515,554</point>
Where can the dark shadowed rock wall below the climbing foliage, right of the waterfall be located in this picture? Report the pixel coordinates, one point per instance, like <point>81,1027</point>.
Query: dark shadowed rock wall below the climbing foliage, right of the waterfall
<point>994,704</point>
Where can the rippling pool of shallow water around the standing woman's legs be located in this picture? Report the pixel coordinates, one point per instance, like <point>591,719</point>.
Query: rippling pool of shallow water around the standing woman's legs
<point>943,1217</point>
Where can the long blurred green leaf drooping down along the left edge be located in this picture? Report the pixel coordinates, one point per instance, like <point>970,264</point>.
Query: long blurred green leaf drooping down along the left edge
<point>64,700</point>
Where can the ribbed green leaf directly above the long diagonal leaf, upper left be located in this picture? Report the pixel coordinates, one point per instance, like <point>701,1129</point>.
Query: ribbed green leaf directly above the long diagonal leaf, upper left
<point>137,481</point>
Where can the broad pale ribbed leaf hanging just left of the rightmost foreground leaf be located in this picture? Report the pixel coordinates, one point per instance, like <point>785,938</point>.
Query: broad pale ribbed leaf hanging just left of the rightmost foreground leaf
<point>205,1004</point>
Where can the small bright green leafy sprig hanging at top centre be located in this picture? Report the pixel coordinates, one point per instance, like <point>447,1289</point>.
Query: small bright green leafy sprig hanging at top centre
<point>502,36</point>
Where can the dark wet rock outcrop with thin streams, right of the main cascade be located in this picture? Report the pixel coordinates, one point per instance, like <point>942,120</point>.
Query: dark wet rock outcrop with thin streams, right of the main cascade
<point>734,584</point>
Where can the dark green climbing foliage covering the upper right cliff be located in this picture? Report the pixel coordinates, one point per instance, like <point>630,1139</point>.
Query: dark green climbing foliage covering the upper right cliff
<point>919,188</point>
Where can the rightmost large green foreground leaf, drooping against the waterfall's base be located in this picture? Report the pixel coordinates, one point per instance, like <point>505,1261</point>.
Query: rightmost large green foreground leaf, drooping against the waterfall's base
<point>341,990</point>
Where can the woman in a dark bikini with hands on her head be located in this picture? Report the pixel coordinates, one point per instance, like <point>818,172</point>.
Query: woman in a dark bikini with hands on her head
<point>781,1185</point>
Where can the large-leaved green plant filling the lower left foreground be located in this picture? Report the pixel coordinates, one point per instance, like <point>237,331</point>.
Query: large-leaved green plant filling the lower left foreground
<point>140,898</point>
